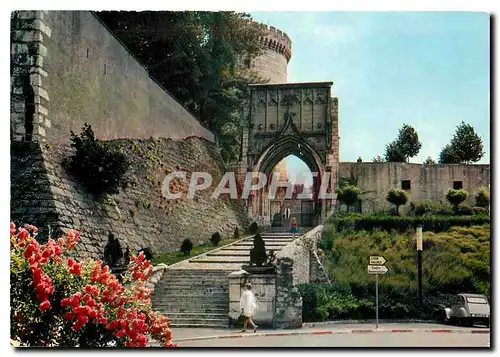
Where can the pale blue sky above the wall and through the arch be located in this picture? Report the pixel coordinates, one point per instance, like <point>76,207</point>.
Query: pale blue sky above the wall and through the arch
<point>430,70</point>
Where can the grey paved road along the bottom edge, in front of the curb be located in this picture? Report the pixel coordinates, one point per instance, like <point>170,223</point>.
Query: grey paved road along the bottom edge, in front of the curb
<point>414,339</point>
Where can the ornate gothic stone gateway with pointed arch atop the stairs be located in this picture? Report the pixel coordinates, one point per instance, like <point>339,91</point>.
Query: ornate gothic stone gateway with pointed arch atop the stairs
<point>298,119</point>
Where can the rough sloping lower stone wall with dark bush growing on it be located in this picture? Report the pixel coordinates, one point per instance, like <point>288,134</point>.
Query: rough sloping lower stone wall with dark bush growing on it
<point>43,193</point>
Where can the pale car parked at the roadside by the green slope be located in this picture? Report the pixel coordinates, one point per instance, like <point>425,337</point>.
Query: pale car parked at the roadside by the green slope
<point>469,309</point>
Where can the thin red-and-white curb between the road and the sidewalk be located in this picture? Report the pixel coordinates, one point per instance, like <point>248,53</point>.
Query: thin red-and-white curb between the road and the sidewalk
<point>330,332</point>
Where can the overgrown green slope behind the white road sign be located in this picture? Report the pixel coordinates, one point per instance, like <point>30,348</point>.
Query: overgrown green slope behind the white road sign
<point>454,261</point>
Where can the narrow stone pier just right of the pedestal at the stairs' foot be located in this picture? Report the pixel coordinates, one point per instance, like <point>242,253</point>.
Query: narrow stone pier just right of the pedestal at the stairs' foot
<point>288,306</point>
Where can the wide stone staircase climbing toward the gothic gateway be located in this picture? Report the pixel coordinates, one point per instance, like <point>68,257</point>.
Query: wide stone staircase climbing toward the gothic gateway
<point>195,293</point>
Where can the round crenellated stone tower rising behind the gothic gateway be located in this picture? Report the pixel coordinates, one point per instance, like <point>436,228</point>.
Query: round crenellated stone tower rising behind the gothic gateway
<point>273,62</point>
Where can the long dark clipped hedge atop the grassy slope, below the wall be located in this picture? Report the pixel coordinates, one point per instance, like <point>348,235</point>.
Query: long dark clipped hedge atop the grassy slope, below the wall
<point>404,223</point>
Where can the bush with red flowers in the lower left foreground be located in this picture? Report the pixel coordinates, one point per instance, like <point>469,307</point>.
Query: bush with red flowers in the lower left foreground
<point>57,301</point>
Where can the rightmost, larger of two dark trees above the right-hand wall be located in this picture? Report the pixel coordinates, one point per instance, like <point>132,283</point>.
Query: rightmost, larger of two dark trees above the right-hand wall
<point>465,147</point>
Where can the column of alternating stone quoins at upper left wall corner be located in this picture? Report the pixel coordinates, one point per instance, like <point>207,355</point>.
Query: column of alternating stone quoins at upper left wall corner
<point>29,98</point>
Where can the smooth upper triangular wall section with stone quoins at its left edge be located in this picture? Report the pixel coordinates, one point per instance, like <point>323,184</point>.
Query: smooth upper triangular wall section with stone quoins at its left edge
<point>68,69</point>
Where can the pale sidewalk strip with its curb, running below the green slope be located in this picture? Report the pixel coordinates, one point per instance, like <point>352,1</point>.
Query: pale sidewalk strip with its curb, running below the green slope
<point>190,334</point>
